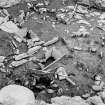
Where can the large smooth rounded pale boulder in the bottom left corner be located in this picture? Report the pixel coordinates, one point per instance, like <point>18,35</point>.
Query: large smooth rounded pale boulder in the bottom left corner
<point>16,95</point>
